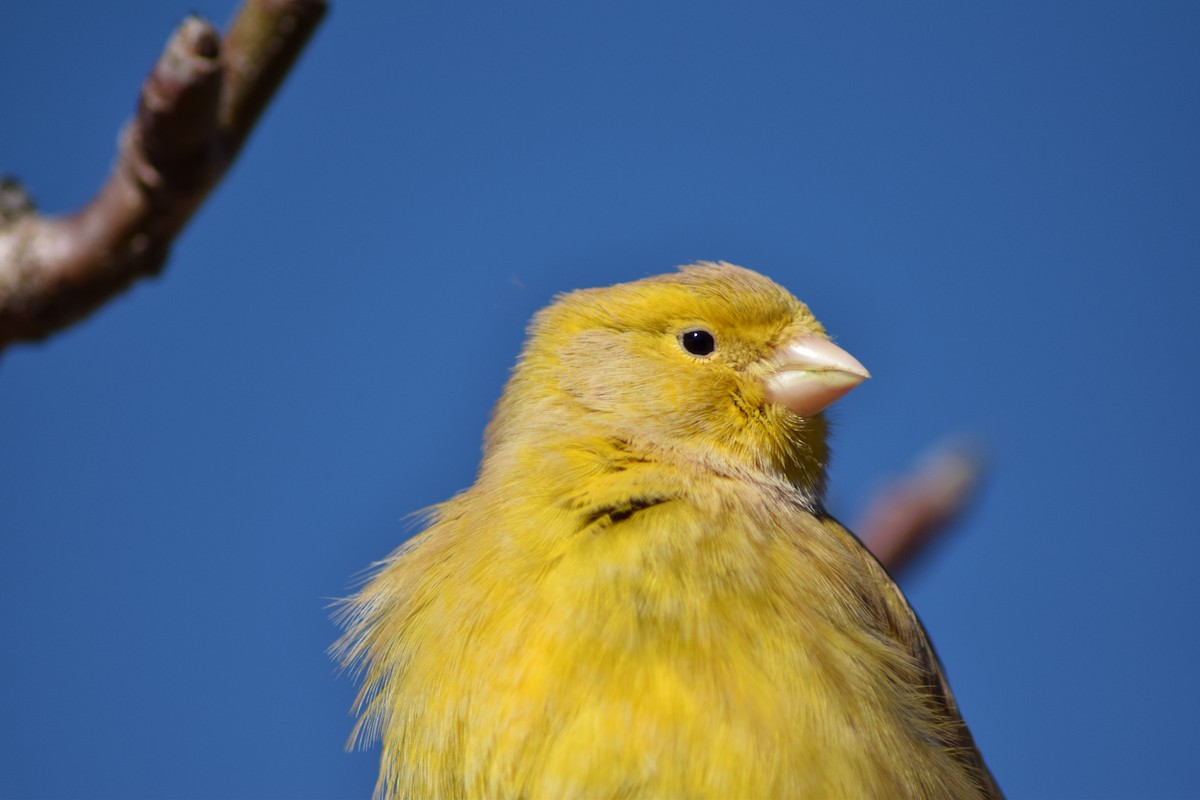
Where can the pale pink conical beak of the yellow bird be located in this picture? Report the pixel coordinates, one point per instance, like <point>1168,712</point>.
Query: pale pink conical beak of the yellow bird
<point>811,374</point>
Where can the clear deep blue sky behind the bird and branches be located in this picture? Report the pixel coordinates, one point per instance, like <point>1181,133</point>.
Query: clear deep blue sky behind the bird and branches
<point>994,207</point>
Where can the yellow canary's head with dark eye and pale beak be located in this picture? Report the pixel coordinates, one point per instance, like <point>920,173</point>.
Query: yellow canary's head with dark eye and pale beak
<point>713,365</point>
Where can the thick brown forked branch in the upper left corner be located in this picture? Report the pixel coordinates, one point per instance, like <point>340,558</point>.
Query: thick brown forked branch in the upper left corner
<point>197,109</point>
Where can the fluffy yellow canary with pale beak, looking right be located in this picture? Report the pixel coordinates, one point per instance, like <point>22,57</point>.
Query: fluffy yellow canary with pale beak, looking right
<point>643,594</point>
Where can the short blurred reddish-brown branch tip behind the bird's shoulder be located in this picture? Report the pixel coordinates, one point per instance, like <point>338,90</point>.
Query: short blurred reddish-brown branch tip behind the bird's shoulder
<point>909,514</point>
